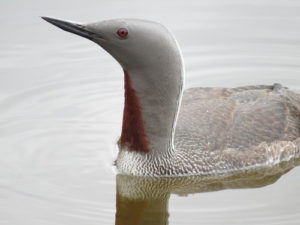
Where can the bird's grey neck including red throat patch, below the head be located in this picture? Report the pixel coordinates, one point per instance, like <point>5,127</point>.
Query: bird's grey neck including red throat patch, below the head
<point>150,111</point>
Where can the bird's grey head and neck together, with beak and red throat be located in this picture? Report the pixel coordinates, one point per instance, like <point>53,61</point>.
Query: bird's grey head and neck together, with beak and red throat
<point>150,55</point>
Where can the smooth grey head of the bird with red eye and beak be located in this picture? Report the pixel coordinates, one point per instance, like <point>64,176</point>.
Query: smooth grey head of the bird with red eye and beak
<point>134,43</point>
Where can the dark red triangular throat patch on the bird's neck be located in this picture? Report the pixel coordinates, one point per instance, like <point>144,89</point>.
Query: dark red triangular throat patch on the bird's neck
<point>133,133</point>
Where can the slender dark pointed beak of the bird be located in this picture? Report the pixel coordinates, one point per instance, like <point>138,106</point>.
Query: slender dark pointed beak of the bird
<point>75,28</point>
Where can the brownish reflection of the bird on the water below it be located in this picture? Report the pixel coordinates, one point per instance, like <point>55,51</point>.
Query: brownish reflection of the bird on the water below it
<point>144,200</point>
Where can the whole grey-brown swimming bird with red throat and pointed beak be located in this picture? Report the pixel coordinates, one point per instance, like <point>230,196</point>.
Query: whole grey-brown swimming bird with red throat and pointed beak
<point>168,131</point>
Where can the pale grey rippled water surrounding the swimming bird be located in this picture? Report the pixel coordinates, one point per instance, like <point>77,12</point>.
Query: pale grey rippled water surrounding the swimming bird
<point>61,105</point>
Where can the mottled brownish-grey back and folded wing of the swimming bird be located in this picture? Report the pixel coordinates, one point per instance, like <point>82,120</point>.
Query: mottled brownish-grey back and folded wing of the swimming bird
<point>237,118</point>
